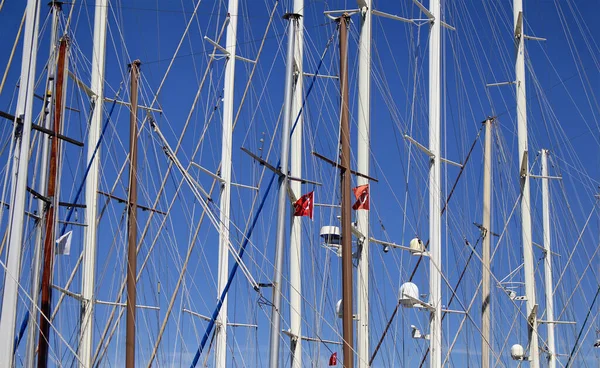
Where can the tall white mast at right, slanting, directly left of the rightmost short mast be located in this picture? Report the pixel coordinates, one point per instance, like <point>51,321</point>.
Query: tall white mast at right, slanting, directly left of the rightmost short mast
<point>524,174</point>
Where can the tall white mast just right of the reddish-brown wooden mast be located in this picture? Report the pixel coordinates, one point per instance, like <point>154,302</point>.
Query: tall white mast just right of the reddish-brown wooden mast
<point>91,186</point>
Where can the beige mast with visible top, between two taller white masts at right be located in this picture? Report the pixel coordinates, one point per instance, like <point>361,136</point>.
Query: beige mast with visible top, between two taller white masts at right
<point>487,241</point>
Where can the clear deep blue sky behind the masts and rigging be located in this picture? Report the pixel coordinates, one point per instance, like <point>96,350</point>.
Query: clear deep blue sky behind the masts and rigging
<point>562,83</point>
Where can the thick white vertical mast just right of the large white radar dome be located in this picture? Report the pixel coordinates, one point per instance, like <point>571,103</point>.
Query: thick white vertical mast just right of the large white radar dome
<point>435,187</point>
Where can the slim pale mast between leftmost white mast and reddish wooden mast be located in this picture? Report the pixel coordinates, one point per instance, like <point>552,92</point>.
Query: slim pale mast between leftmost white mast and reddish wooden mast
<point>42,187</point>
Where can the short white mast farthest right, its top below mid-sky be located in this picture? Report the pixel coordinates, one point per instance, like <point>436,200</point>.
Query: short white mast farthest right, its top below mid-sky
<point>548,261</point>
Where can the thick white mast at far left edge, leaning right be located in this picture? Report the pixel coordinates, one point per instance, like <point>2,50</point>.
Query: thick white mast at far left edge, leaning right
<point>21,134</point>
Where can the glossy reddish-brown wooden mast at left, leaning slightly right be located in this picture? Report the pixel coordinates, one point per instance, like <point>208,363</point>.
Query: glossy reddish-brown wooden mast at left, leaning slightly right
<point>45,308</point>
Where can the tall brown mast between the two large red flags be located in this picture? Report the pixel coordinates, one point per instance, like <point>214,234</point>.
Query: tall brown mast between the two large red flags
<point>346,180</point>
